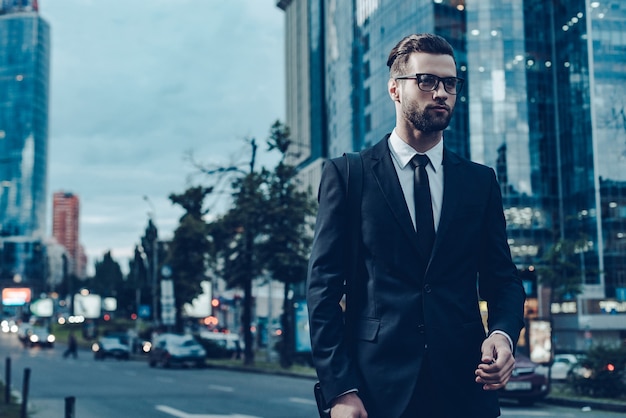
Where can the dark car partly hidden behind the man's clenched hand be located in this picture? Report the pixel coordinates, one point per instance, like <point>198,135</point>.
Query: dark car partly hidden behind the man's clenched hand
<point>528,383</point>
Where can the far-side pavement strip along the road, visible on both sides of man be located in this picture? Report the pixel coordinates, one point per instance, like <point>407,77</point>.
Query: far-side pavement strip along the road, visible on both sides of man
<point>559,394</point>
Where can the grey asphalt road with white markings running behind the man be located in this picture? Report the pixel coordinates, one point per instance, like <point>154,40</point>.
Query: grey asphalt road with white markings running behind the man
<point>120,389</point>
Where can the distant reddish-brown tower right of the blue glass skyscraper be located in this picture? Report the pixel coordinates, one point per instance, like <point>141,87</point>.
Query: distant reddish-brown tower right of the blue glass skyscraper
<point>65,229</point>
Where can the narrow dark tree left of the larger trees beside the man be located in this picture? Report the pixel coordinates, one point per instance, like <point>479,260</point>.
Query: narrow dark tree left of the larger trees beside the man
<point>188,250</point>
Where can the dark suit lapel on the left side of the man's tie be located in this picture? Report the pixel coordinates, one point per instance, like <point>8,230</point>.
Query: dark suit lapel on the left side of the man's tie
<point>385,174</point>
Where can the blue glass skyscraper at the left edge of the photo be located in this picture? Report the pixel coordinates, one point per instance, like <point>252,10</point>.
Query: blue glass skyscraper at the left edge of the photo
<point>24,79</point>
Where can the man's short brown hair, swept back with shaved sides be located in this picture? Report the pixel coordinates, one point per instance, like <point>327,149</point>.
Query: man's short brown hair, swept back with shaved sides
<point>420,42</point>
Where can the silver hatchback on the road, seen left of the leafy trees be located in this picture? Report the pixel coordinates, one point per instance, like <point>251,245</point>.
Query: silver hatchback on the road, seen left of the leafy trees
<point>174,349</point>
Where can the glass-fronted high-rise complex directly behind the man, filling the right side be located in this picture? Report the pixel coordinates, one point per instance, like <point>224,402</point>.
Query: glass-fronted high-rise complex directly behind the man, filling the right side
<point>543,105</point>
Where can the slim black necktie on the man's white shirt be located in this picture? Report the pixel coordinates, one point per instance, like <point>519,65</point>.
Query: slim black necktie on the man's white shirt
<point>425,224</point>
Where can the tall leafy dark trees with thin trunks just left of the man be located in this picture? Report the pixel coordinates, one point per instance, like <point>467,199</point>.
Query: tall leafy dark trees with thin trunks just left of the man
<point>267,230</point>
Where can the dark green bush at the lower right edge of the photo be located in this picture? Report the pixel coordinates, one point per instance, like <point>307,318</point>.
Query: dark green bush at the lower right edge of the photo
<point>608,373</point>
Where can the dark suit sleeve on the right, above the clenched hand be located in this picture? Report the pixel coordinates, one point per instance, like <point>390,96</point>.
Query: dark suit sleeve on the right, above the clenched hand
<point>499,283</point>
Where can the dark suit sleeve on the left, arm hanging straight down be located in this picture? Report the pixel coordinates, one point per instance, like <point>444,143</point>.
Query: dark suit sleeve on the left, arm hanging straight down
<point>328,266</point>
